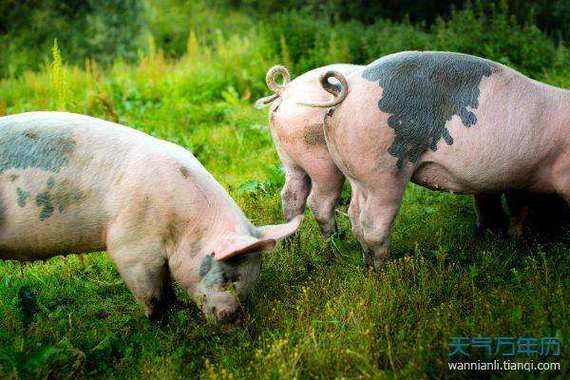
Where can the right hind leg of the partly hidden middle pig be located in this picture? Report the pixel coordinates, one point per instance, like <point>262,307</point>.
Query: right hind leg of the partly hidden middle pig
<point>323,200</point>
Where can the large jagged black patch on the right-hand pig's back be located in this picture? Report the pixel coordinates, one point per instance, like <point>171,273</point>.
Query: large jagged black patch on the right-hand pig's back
<point>422,91</point>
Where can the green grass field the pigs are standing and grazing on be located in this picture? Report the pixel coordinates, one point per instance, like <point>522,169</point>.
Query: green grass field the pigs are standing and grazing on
<point>306,318</point>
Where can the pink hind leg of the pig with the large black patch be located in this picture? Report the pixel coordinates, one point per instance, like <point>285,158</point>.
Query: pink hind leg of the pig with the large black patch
<point>380,207</point>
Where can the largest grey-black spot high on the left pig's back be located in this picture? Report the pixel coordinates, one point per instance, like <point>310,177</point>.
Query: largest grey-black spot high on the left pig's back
<point>47,149</point>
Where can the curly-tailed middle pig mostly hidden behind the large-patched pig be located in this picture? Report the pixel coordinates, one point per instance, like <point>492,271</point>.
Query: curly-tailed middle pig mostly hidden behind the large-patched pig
<point>299,139</point>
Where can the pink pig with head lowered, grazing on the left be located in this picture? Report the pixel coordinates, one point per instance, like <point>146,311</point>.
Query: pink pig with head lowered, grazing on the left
<point>72,184</point>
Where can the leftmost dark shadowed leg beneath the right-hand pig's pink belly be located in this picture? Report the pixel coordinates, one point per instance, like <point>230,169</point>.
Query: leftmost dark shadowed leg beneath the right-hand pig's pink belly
<point>490,214</point>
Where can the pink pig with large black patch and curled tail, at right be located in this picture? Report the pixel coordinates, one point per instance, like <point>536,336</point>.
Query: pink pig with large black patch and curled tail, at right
<point>447,121</point>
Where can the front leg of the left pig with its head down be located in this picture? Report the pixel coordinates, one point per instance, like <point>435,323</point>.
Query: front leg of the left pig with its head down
<point>146,274</point>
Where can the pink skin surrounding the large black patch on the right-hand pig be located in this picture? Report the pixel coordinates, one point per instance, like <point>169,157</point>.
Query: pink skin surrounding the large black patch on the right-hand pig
<point>530,150</point>
